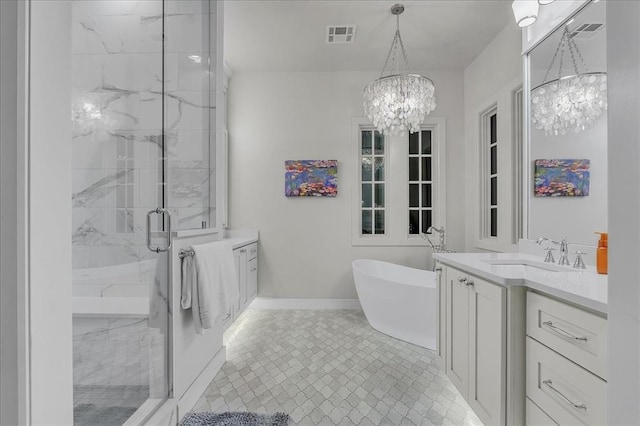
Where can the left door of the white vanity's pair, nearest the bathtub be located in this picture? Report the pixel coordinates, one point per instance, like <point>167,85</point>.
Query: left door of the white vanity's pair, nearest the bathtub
<point>457,326</point>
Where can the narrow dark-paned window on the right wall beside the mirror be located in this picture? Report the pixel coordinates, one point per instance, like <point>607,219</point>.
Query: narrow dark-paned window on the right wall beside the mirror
<point>489,173</point>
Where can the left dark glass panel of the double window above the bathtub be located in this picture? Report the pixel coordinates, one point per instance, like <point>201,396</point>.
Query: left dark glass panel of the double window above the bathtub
<point>372,182</point>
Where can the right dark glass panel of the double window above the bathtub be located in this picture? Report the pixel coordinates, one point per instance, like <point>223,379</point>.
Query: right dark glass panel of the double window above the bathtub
<point>420,182</point>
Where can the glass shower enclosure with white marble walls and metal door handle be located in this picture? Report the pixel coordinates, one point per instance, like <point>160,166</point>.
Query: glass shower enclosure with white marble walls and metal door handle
<point>143,113</point>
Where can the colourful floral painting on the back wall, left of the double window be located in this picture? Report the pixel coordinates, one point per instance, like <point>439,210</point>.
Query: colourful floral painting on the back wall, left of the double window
<point>311,178</point>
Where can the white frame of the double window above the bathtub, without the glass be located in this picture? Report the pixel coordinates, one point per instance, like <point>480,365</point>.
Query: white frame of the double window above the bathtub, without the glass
<point>397,185</point>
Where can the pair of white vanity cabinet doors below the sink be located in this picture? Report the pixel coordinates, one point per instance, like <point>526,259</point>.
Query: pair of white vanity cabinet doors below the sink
<point>476,332</point>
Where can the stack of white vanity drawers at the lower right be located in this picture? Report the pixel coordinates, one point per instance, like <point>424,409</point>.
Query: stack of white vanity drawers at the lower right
<point>566,362</point>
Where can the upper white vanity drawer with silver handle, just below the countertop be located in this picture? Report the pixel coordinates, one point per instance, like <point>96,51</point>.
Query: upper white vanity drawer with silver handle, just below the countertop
<point>577,334</point>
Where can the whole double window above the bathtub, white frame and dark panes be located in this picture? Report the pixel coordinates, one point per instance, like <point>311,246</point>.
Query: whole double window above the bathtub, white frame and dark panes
<point>399,184</point>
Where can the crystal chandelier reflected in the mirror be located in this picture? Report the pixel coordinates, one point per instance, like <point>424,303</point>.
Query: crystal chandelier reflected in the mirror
<point>571,103</point>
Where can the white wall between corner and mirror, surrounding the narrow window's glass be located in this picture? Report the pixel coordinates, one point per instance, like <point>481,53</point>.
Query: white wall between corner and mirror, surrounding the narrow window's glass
<point>491,80</point>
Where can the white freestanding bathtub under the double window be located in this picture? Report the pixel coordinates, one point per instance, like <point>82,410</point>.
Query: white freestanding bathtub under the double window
<point>397,300</point>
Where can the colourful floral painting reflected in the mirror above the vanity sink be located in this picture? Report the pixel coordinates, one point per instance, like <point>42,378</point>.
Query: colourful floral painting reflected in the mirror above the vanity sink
<point>561,178</point>
